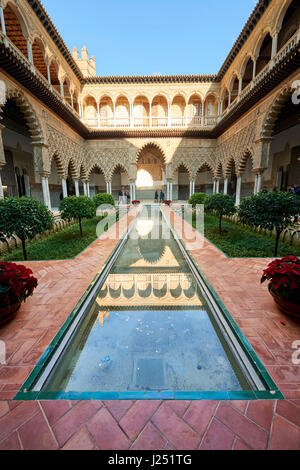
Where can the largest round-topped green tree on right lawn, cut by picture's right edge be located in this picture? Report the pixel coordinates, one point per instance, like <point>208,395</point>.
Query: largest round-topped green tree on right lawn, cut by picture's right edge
<point>274,210</point>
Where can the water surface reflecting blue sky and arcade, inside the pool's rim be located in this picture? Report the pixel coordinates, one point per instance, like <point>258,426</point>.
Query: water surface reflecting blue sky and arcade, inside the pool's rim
<point>148,329</point>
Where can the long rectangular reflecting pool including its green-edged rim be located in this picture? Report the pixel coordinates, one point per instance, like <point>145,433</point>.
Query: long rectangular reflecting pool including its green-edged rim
<point>151,329</point>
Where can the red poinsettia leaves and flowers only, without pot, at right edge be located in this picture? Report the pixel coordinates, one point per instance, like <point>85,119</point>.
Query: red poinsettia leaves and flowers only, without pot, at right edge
<point>284,277</point>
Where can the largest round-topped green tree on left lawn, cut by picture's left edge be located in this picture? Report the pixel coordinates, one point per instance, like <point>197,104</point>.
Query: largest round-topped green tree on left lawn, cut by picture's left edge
<point>24,217</point>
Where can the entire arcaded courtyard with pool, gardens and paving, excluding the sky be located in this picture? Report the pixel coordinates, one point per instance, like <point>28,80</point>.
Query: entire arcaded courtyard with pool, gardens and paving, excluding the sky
<point>145,212</point>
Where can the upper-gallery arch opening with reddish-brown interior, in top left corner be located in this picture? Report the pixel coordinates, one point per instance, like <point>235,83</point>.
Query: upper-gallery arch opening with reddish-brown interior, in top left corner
<point>14,30</point>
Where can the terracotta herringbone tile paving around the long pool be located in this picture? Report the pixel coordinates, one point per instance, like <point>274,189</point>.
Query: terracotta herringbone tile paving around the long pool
<point>150,424</point>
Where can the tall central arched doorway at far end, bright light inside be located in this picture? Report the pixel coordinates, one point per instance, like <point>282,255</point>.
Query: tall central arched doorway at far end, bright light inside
<point>150,173</point>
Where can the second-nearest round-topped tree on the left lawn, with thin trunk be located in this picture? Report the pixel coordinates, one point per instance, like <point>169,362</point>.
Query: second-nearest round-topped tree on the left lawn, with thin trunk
<point>78,208</point>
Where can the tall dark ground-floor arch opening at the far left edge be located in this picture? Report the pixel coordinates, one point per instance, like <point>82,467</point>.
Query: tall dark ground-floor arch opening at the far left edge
<point>18,175</point>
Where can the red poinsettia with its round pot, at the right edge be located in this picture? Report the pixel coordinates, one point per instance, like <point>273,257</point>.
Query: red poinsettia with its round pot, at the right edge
<point>284,285</point>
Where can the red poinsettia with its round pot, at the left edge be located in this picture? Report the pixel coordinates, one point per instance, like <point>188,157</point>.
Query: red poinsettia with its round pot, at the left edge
<point>16,284</point>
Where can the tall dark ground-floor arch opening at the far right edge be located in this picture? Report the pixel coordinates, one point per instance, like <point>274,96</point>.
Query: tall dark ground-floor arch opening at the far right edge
<point>284,169</point>
